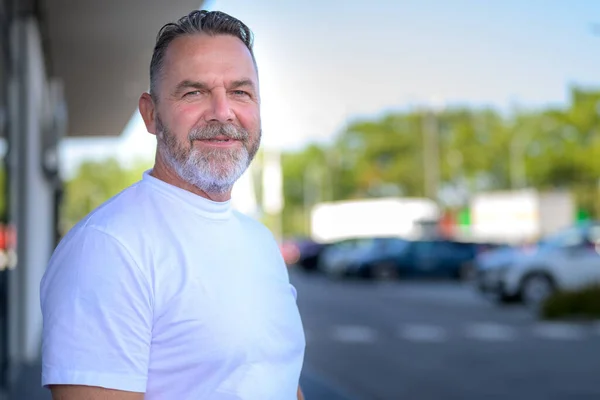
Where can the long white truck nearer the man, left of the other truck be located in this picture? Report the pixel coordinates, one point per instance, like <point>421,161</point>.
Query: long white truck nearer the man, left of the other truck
<point>382,217</point>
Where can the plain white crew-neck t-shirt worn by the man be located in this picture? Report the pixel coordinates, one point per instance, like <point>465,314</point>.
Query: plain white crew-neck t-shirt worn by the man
<point>165,292</point>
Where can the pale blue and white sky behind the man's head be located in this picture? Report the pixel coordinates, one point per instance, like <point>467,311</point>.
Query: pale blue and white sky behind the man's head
<point>324,63</point>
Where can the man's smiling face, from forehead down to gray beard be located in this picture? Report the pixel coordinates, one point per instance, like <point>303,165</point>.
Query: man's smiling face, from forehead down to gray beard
<point>207,117</point>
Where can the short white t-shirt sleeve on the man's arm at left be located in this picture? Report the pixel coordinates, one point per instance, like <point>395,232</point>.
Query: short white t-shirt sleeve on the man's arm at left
<point>97,308</point>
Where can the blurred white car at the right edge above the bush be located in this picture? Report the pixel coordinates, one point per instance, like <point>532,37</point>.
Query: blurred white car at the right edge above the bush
<point>567,260</point>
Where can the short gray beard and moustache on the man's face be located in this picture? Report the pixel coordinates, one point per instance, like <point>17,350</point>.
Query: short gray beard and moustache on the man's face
<point>214,170</point>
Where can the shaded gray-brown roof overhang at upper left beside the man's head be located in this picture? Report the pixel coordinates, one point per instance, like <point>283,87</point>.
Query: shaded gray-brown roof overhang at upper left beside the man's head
<point>101,50</point>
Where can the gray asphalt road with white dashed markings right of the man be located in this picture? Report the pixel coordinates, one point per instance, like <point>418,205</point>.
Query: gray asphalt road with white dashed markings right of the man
<point>439,340</point>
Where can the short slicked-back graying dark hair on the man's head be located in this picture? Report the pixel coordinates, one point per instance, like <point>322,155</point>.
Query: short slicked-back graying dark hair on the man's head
<point>211,23</point>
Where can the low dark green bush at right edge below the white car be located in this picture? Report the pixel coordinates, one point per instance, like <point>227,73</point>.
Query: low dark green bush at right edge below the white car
<point>576,304</point>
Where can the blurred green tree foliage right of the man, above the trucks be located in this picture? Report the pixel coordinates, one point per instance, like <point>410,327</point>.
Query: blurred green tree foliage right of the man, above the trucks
<point>477,149</point>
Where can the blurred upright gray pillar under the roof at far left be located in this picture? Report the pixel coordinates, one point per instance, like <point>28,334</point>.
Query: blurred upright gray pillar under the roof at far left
<point>33,135</point>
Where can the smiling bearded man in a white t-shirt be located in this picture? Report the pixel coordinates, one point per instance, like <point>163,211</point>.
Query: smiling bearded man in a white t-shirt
<point>164,292</point>
